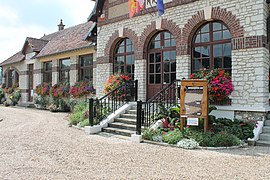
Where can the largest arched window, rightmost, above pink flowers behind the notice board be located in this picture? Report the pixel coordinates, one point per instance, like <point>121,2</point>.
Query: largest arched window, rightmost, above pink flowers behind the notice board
<point>211,47</point>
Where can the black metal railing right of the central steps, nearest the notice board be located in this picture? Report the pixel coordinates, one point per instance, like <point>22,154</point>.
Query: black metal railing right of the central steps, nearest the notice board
<point>168,97</point>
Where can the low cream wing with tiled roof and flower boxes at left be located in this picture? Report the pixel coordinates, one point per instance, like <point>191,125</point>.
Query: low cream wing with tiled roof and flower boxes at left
<point>61,56</point>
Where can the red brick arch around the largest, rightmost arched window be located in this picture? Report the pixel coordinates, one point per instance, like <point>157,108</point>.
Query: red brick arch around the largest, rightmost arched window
<point>198,20</point>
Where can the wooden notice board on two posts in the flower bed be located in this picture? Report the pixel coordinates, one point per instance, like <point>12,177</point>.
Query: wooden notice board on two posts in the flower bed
<point>194,101</point>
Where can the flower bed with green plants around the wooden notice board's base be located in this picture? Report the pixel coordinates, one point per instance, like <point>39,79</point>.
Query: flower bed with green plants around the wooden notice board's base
<point>222,133</point>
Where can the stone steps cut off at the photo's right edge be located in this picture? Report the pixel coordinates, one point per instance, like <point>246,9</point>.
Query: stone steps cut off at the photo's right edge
<point>264,139</point>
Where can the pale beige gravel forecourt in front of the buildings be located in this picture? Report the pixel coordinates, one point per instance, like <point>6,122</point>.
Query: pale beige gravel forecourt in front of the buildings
<point>39,145</point>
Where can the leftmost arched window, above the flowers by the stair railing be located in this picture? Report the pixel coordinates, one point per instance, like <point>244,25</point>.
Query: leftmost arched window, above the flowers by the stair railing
<point>124,58</point>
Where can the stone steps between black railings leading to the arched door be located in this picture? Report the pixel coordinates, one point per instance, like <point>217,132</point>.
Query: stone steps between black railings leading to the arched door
<point>125,125</point>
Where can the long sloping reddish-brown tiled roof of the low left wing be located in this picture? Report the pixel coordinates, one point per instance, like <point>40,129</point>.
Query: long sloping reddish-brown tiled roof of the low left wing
<point>66,40</point>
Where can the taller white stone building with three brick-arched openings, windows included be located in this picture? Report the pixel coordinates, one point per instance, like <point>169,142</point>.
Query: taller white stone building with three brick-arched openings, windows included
<point>190,35</point>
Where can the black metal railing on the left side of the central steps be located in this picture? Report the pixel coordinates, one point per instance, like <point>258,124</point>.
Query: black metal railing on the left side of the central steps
<point>99,109</point>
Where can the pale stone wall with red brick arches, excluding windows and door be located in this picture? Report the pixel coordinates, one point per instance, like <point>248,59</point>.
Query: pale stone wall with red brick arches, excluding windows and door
<point>246,21</point>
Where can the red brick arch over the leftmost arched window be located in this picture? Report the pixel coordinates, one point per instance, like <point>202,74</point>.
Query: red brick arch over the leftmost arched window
<point>114,39</point>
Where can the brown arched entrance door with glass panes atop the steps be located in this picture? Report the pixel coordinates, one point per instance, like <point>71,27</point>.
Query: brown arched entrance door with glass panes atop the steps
<point>161,62</point>
